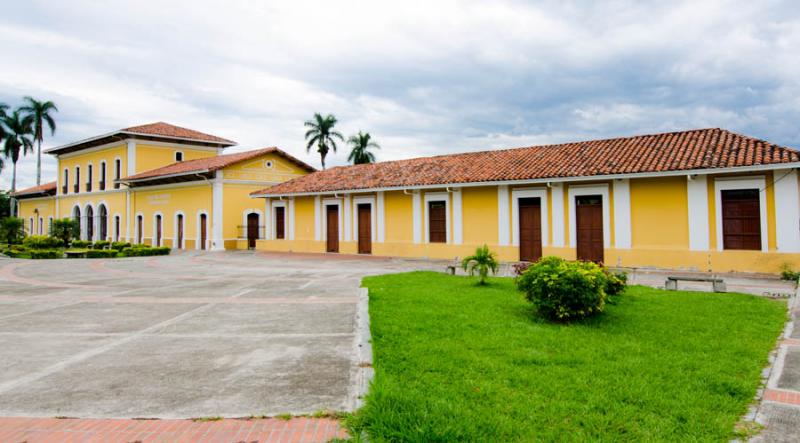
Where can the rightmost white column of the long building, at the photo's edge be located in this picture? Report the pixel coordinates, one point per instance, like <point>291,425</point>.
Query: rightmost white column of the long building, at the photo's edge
<point>787,211</point>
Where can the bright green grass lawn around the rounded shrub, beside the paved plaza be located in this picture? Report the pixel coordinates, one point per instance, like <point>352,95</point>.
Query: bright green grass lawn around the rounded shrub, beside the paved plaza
<point>455,361</point>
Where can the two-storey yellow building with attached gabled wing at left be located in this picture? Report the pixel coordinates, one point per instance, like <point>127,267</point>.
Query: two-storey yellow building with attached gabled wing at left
<point>159,184</point>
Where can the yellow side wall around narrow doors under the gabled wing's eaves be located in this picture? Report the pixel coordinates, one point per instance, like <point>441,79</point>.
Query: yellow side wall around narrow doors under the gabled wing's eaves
<point>191,200</point>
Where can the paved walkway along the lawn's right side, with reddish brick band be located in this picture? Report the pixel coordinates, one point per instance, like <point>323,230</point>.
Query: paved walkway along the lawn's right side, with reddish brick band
<point>779,410</point>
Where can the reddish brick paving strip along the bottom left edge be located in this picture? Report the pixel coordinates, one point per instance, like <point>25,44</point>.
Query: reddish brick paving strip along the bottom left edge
<point>35,430</point>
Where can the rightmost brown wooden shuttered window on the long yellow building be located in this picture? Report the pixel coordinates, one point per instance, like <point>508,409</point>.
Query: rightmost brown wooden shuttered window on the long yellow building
<point>741,219</point>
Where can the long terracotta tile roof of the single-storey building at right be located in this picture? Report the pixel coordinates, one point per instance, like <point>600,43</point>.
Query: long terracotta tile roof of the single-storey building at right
<point>674,151</point>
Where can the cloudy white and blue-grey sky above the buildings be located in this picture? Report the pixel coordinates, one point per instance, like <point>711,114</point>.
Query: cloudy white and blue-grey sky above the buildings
<point>422,77</point>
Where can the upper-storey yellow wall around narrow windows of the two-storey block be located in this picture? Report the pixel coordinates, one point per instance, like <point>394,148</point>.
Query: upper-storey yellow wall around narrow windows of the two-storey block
<point>94,158</point>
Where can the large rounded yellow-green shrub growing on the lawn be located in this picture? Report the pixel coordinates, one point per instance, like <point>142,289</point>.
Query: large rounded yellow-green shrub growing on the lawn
<point>562,290</point>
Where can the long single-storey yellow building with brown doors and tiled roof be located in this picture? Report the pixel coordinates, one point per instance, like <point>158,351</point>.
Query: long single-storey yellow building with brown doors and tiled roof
<point>704,200</point>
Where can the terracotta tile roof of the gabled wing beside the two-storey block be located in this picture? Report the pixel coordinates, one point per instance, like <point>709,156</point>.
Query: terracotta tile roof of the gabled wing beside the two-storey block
<point>211,164</point>
